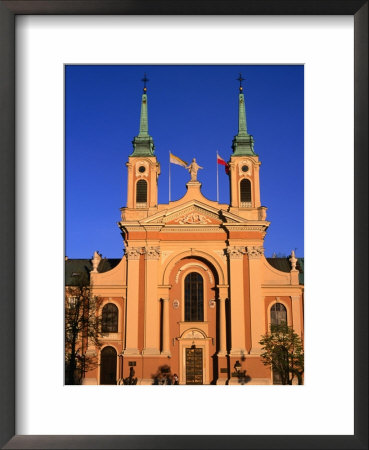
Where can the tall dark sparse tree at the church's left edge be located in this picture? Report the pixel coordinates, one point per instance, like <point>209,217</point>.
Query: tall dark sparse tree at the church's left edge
<point>82,326</point>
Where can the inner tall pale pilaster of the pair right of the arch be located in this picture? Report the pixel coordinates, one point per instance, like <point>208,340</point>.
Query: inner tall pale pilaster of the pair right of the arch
<point>238,346</point>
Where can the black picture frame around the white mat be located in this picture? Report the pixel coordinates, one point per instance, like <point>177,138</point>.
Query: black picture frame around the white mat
<point>8,11</point>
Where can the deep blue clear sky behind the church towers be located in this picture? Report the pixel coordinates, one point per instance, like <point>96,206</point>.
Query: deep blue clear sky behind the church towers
<point>193,111</point>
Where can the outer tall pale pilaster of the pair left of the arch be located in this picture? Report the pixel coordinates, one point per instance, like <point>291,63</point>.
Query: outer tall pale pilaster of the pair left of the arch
<point>133,257</point>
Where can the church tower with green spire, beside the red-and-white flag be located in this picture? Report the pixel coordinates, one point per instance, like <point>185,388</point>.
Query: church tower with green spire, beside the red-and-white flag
<point>244,165</point>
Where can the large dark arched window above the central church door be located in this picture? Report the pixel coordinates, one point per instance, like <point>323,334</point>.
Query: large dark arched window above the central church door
<point>194,298</point>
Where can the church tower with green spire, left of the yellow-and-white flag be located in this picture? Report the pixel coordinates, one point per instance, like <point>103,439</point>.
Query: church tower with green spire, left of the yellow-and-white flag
<point>143,167</point>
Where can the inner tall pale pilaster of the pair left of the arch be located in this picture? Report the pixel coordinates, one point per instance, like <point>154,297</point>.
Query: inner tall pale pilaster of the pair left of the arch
<point>152,307</point>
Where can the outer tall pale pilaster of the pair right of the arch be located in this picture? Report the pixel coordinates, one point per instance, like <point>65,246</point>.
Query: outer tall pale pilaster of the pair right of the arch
<point>256,300</point>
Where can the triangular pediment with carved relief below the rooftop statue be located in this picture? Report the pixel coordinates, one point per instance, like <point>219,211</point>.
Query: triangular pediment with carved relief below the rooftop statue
<point>192,213</point>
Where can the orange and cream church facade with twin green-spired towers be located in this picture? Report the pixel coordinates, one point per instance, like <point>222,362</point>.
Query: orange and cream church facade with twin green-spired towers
<point>193,291</point>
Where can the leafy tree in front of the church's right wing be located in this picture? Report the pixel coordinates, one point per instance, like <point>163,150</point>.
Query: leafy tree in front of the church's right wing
<point>283,351</point>
